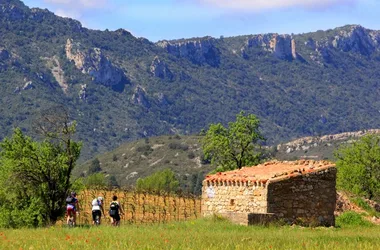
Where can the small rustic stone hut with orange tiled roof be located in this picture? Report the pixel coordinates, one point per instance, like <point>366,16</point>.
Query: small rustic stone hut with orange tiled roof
<point>301,192</point>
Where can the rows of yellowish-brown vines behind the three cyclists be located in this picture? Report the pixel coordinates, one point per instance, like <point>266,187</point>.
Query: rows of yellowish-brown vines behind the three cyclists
<point>142,207</point>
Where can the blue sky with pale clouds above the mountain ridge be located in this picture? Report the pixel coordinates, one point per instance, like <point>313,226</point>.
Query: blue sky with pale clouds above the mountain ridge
<point>174,19</point>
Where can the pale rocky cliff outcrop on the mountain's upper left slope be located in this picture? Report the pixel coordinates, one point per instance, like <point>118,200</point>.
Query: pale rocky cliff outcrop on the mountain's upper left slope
<point>94,63</point>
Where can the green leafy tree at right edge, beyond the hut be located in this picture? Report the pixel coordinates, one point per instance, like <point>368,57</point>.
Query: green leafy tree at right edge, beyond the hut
<point>358,167</point>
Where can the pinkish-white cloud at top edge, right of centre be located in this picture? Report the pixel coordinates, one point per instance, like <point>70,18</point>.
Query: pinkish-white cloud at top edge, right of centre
<point>259,5</point>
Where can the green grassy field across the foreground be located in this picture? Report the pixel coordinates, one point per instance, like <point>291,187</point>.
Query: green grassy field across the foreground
<point>197,234</point>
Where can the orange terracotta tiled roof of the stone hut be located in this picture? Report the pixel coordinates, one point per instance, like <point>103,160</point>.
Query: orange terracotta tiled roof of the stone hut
<point>270,171</point>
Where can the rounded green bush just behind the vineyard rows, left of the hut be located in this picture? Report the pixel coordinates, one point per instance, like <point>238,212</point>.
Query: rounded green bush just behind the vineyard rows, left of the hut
<point>162,181</point>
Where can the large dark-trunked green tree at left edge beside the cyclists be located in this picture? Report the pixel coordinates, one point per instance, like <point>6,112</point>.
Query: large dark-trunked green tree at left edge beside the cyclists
<point>38,173</point>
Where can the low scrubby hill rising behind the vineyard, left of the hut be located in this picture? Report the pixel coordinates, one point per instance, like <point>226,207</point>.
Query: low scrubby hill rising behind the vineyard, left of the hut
<point>140,158</point>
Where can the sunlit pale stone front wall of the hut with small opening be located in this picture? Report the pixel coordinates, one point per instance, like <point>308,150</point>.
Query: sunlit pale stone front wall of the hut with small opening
<point>227,197</point>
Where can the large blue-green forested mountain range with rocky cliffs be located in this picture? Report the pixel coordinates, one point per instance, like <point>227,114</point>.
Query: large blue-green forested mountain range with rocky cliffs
<point>121,88</point>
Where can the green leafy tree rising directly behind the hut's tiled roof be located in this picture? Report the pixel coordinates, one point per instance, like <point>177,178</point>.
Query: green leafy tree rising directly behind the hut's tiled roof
<point>235,146</point>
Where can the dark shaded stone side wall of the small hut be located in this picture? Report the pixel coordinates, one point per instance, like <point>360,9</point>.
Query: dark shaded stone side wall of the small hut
<point>304,199</point>
